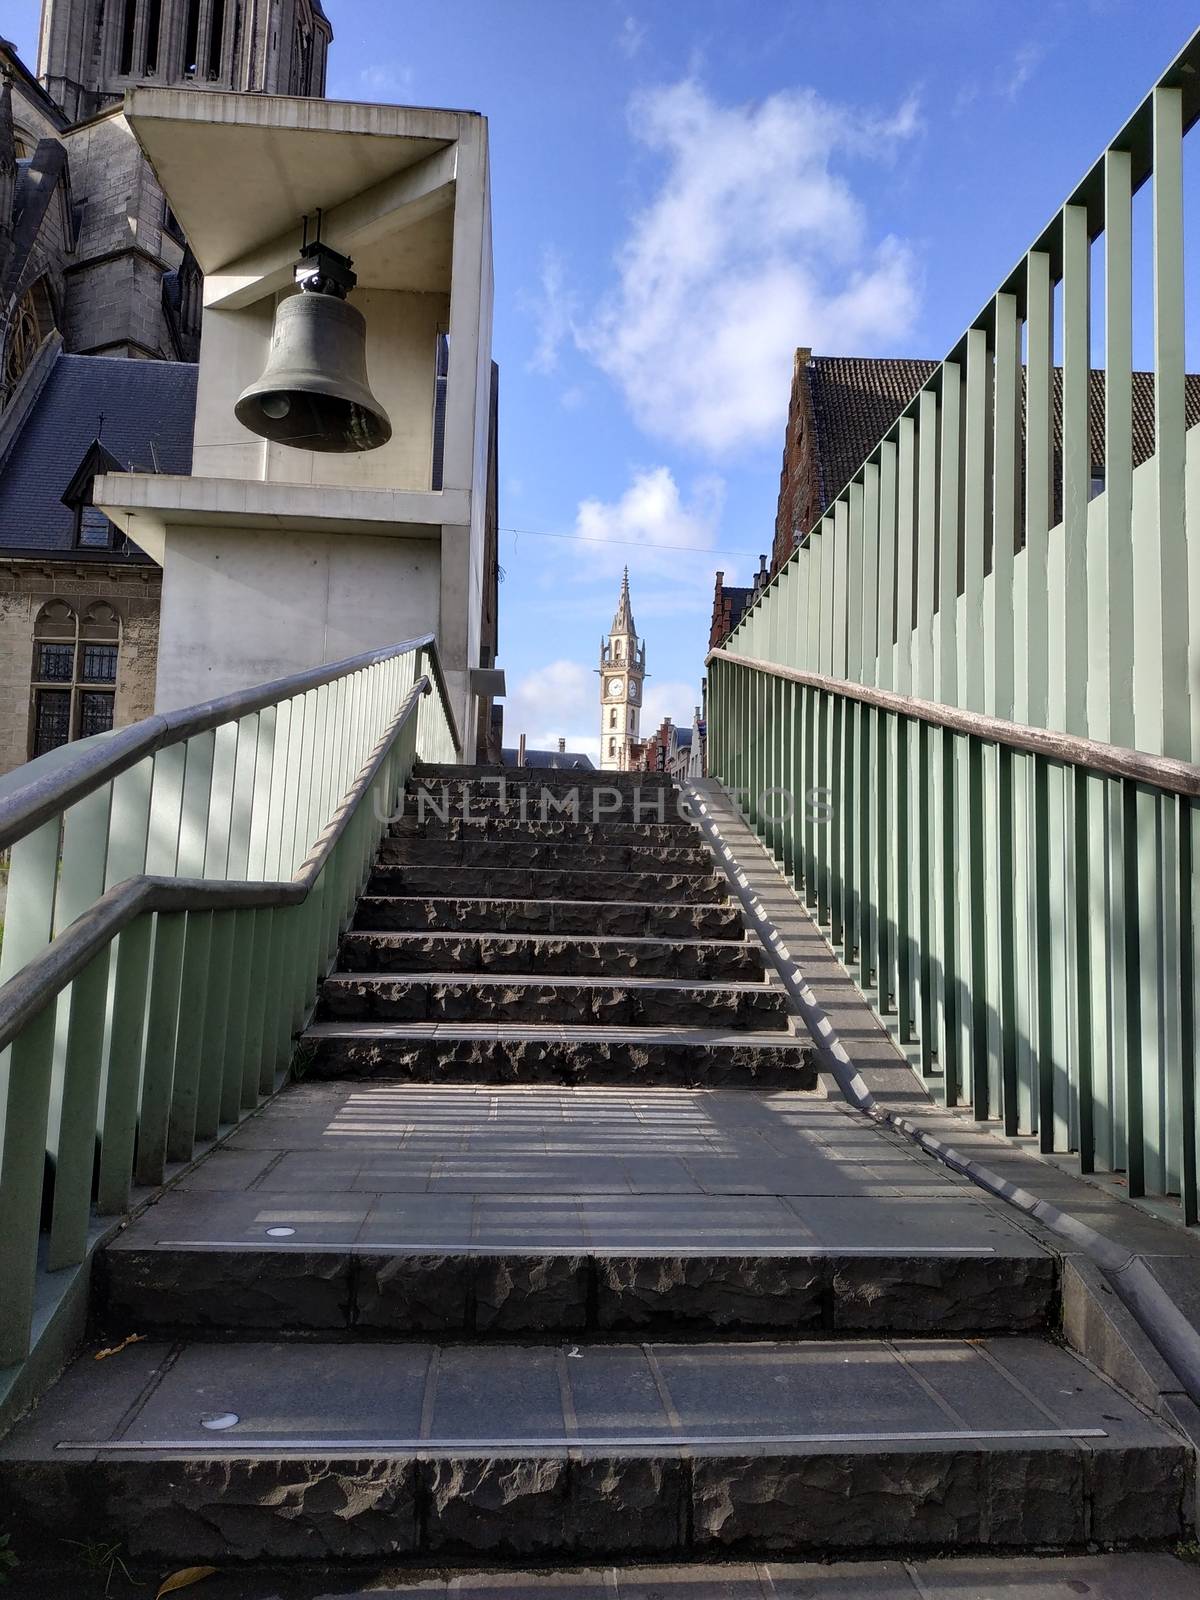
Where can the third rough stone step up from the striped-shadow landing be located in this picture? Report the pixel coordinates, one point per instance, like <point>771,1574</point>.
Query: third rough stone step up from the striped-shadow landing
<point>538,953</point>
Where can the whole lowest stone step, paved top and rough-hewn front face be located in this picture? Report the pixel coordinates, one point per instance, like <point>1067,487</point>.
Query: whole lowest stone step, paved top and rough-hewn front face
<point>236,1452</point>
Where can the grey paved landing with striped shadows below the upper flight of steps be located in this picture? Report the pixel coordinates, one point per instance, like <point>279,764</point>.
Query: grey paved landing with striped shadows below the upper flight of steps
<point>604,1169</point>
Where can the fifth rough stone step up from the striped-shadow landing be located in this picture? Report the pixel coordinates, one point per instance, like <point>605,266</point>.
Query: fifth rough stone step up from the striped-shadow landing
<point>692,889</point>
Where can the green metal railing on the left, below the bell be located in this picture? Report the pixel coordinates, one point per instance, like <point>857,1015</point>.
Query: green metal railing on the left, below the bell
<point>175,895</point>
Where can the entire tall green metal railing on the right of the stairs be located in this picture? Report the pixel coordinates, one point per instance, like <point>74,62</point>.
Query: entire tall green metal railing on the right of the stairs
<point>994,671</point>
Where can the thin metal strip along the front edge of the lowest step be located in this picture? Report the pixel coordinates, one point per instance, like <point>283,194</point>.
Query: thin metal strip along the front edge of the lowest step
<point>514,1447</point>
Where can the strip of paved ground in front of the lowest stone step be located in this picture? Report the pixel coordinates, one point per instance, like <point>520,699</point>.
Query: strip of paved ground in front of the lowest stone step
<point>1015,1578</point>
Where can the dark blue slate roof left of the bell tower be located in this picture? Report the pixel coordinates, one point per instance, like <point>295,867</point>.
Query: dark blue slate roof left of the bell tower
<point>150,410</point>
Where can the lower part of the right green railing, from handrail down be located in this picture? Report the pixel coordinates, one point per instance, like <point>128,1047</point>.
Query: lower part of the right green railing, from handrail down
<point>1017,905</point>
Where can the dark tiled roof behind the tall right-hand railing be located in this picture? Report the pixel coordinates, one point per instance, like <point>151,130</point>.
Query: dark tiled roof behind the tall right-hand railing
<point>857,401</point>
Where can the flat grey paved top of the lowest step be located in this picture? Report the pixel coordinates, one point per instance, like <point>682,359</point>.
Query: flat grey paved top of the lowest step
<point>300,1396</point>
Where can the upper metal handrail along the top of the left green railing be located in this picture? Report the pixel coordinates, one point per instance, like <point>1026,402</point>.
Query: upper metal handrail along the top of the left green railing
<point>47,796</point>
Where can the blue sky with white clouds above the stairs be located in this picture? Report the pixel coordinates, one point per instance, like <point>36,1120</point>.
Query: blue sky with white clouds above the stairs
<point>687,190</point>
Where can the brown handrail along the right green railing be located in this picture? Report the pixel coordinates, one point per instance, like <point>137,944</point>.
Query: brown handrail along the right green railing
<point>1159,772</point>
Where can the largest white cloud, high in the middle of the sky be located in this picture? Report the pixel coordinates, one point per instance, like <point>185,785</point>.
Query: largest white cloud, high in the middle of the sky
<point>751,246</point>
